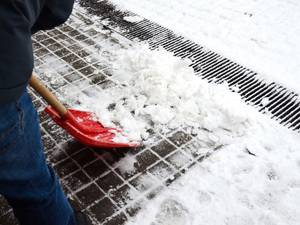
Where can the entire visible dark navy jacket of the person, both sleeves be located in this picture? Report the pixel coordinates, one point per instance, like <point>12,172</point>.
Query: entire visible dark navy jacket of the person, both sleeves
<point>18,19</point>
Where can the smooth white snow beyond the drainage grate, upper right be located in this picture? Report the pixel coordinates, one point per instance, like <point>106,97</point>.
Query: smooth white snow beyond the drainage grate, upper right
<point>260,34</point>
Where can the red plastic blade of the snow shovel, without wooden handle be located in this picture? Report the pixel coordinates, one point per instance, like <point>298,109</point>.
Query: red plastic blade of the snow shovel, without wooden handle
<point>83,127</point>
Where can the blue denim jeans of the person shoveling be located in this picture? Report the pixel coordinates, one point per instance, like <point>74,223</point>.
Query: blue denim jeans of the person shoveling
<point>28,184</point>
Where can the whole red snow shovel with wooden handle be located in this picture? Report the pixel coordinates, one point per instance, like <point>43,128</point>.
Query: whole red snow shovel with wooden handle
<point>79,124</point>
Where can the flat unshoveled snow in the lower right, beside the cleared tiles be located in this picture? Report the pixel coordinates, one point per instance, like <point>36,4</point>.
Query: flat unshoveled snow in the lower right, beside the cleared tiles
<point>234,187</point>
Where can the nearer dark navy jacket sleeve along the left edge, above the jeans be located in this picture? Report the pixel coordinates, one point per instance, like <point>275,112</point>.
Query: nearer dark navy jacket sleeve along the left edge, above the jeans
<point>16,60</point>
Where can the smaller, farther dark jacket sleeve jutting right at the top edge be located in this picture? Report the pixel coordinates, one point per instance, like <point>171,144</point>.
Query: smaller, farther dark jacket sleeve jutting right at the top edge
<point>54,13</point>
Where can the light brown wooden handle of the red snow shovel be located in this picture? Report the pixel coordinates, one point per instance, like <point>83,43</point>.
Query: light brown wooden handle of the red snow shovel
<point>52,100</point>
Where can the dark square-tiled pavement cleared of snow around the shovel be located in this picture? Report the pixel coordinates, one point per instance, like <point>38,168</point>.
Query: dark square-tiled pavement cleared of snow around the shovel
<point>92,177</point>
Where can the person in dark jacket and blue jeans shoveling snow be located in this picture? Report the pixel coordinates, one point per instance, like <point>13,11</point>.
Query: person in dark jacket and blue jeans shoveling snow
<point>26,181</point>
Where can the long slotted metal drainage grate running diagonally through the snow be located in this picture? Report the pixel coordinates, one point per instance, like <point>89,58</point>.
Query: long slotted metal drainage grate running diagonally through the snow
<point>283,105</point>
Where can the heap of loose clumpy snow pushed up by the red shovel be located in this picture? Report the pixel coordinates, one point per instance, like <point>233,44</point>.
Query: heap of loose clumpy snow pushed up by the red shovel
<point>159,91</point>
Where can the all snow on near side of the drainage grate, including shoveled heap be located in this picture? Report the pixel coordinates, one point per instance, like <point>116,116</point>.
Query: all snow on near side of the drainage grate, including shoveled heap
<point>253,179</point>
